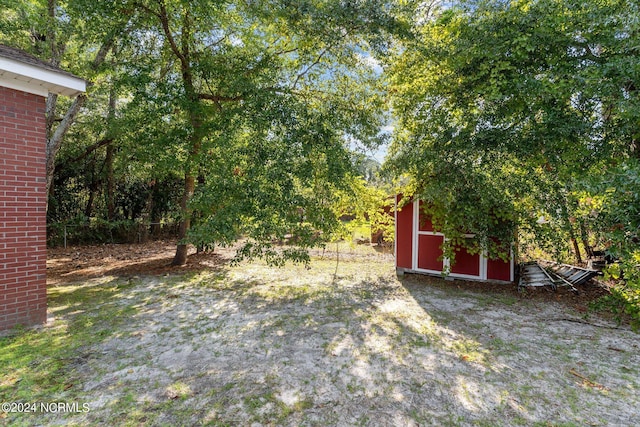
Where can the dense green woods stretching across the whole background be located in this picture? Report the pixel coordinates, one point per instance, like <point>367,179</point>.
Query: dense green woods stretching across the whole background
<point>239,118</point>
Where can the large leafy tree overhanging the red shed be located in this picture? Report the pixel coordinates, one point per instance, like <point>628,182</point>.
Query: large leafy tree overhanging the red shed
<point>503,106</point>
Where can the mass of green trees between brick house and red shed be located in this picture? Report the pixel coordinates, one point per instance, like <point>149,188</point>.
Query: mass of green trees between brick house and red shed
<point>253,105</point>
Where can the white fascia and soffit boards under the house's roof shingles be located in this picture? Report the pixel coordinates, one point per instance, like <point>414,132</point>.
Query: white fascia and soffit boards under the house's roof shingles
<point>33,79</point>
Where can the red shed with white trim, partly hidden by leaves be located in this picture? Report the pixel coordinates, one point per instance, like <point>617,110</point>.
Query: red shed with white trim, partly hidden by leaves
<point>418,250</point>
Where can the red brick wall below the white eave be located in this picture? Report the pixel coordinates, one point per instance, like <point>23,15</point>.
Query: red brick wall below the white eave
<point>23,251</point>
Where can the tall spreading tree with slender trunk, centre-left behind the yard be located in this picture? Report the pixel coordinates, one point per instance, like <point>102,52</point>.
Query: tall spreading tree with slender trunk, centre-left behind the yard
<point>254,102</point>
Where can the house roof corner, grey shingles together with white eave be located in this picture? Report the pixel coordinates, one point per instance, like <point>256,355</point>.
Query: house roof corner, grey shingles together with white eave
<point>22,71</point>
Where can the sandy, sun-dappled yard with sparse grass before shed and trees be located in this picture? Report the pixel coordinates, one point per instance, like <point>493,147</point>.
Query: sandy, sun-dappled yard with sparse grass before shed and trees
<point>342,343</point>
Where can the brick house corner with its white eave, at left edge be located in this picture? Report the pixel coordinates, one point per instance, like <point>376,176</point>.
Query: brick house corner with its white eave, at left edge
<point>25,82</point>
